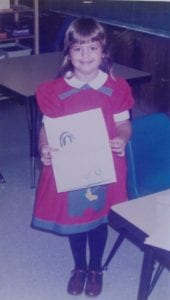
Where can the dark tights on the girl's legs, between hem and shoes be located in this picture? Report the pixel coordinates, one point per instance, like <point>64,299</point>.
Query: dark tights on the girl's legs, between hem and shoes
<point>96,240</point>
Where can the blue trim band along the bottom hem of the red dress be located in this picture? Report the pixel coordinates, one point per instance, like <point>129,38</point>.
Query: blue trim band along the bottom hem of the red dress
<point>67,229</point>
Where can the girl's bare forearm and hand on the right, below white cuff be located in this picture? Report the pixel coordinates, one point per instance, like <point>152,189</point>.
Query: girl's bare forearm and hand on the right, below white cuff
<point>118,144</point>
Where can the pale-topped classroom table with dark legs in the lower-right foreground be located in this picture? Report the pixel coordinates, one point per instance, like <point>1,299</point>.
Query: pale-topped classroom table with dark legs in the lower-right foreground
<point>145,221</point>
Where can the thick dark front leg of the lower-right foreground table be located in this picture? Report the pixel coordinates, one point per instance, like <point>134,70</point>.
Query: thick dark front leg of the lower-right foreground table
<point>146,273</point>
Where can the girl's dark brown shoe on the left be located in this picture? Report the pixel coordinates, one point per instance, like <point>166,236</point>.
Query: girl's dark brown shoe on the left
<point>76,282</point>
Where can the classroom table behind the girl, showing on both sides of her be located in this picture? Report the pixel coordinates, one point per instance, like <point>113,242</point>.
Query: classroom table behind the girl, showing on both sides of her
<point>22,75</point>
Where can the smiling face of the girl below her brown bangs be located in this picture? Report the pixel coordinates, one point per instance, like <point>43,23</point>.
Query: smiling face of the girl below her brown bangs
<point>86,59</point>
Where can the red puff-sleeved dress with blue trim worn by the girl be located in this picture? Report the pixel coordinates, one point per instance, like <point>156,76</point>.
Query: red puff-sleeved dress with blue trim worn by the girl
<point>72,212</point>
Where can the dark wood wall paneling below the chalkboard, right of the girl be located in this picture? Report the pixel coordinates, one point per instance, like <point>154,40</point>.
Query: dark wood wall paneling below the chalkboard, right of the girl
<point>149,53</point>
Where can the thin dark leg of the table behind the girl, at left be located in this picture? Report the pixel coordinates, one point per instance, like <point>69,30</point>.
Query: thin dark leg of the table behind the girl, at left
<point>32,122</point>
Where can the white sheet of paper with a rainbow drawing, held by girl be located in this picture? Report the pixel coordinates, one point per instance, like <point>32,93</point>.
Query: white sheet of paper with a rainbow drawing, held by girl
<point>84,156</point>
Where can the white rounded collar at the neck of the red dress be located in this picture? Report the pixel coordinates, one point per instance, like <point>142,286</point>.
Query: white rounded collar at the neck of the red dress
<point>96,83</point>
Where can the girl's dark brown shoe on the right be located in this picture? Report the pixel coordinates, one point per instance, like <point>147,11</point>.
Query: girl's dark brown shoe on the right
<point>94,283</point>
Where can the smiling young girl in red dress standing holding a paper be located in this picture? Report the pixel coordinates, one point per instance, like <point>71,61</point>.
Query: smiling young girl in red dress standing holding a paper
<point>85,83</point>
